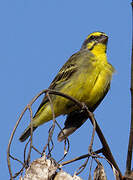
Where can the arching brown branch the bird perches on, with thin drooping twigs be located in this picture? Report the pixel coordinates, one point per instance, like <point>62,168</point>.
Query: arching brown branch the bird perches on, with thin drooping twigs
<point>105,150</point>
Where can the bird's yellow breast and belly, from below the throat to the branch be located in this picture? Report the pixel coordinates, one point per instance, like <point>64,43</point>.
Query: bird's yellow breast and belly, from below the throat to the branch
<point>89,85</point>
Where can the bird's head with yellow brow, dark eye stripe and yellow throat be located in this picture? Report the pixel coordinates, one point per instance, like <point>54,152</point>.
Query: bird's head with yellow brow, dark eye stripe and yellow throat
<point>96,42</point>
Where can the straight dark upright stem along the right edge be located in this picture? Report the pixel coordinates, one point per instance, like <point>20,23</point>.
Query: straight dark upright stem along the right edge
<point>130,145</point>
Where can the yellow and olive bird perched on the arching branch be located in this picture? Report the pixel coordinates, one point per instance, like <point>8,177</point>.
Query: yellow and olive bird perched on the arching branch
<point>86,76</point>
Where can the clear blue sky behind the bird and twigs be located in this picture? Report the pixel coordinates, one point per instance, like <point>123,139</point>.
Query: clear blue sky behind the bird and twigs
<point>36,38</point>
